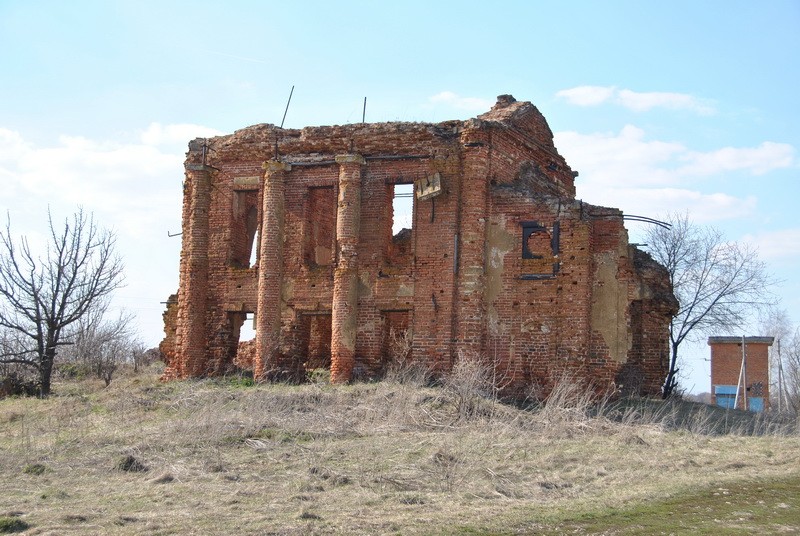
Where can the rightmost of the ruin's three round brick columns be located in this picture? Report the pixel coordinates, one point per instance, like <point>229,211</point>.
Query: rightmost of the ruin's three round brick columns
<point>344,311</point>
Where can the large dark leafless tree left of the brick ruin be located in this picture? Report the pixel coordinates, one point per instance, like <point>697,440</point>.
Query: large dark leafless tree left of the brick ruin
<point>42,297</point>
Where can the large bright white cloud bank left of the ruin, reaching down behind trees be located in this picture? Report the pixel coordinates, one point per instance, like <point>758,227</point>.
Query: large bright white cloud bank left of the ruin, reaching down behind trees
<point>134,188</point>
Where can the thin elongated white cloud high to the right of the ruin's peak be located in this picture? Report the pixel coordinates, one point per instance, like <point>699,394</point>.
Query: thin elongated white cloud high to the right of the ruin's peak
<point>633,100</point>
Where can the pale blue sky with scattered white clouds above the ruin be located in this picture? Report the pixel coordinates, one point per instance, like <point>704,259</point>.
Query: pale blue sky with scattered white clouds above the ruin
<point>661,106</point>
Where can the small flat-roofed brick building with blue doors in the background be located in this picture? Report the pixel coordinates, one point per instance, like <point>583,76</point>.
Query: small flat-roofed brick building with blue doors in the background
<point>726,367</point>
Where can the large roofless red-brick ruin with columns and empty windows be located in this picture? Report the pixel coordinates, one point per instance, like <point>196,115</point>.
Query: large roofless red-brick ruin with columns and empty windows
<point>293,230</point>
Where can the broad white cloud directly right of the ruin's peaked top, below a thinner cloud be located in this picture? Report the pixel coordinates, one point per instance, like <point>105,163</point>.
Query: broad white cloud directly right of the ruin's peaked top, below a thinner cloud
<point>650,177</point>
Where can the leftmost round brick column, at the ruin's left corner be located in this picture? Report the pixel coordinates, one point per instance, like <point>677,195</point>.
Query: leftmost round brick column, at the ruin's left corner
<point>193,336</point>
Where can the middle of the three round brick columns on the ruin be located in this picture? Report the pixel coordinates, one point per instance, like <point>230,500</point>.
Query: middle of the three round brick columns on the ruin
<point>270,270</point>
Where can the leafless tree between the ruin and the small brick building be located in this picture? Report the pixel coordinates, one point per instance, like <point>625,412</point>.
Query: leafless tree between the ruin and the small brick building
<point>719,284</point>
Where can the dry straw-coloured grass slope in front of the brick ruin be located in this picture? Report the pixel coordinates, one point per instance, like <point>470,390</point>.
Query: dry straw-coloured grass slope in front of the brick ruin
<point>213,457</point>
